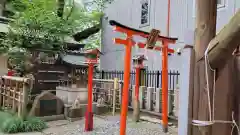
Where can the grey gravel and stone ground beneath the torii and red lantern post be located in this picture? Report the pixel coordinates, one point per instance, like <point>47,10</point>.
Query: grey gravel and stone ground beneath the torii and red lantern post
<point>108,125</point>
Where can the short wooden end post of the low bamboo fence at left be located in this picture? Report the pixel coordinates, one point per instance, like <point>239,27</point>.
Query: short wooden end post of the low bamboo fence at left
<point>25,100</point>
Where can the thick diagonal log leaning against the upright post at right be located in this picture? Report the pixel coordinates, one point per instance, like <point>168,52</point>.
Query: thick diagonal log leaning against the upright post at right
<point>226,41</point>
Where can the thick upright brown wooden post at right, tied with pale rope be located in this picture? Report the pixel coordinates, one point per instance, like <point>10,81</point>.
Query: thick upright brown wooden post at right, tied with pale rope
<point>205,32</point>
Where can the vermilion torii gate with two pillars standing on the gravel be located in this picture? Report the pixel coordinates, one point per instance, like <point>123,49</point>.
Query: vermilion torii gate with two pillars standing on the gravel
<point>127,64</point>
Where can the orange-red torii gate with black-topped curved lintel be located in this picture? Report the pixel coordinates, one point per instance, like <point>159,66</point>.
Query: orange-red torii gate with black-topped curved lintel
<point>130,32</point>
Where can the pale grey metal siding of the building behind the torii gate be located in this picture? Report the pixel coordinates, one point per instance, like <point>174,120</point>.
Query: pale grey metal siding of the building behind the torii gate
<point>182,18</point>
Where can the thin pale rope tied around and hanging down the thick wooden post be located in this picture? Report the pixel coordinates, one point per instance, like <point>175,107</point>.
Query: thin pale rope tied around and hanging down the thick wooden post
<point>212,120</point>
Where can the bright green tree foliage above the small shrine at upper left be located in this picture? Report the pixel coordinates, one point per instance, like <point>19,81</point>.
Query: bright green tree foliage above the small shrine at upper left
<point>36,25</point>
